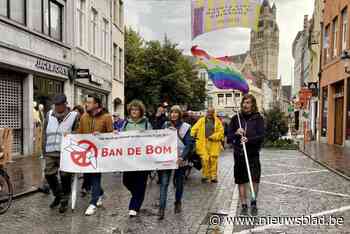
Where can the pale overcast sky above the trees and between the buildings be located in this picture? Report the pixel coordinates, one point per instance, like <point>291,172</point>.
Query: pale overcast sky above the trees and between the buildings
<point>155,18</point>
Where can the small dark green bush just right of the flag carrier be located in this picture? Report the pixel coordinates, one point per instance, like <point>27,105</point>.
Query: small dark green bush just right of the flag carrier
<point>276,124</point>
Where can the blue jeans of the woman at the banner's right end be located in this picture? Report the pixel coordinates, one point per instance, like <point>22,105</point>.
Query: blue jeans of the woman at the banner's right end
<point>179,176</point>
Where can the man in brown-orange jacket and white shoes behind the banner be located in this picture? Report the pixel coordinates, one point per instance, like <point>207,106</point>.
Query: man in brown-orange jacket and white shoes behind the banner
<point>96,120</point>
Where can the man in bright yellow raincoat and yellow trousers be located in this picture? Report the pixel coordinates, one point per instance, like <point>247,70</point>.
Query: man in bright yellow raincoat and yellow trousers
<point>209,133</point>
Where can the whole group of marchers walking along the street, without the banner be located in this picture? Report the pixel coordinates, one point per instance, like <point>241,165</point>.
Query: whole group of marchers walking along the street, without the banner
<point>203,137</point>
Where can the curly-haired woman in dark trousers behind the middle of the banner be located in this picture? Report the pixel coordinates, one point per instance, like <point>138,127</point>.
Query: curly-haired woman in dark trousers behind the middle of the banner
<point>136,181</point>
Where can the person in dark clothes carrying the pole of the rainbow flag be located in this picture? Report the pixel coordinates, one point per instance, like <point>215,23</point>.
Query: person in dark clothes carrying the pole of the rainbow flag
<point>252,133</point>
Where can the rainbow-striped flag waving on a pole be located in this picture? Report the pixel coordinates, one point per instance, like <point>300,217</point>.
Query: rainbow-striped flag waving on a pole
<point>223,74</point>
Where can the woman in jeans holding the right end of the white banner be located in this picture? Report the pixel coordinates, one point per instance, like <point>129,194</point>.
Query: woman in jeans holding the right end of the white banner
<point>185,144</point>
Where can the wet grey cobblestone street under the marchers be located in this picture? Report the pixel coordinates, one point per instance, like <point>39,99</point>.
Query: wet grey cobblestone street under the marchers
<point>291,185</point>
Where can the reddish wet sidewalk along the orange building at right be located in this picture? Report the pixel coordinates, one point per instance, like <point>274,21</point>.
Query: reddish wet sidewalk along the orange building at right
<point>335,157</point>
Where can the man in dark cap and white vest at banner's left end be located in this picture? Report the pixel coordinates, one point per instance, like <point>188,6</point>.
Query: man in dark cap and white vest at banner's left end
<point>59,121</point>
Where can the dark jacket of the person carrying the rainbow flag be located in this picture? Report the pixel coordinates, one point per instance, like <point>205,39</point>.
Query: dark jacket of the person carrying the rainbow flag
<point>255,131</point>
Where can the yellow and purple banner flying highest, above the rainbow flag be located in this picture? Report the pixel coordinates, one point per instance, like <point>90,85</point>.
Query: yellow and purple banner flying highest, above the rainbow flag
<point>211,15</point>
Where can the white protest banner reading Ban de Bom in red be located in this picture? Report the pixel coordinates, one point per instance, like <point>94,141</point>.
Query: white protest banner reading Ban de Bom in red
<point>125,151</point>
